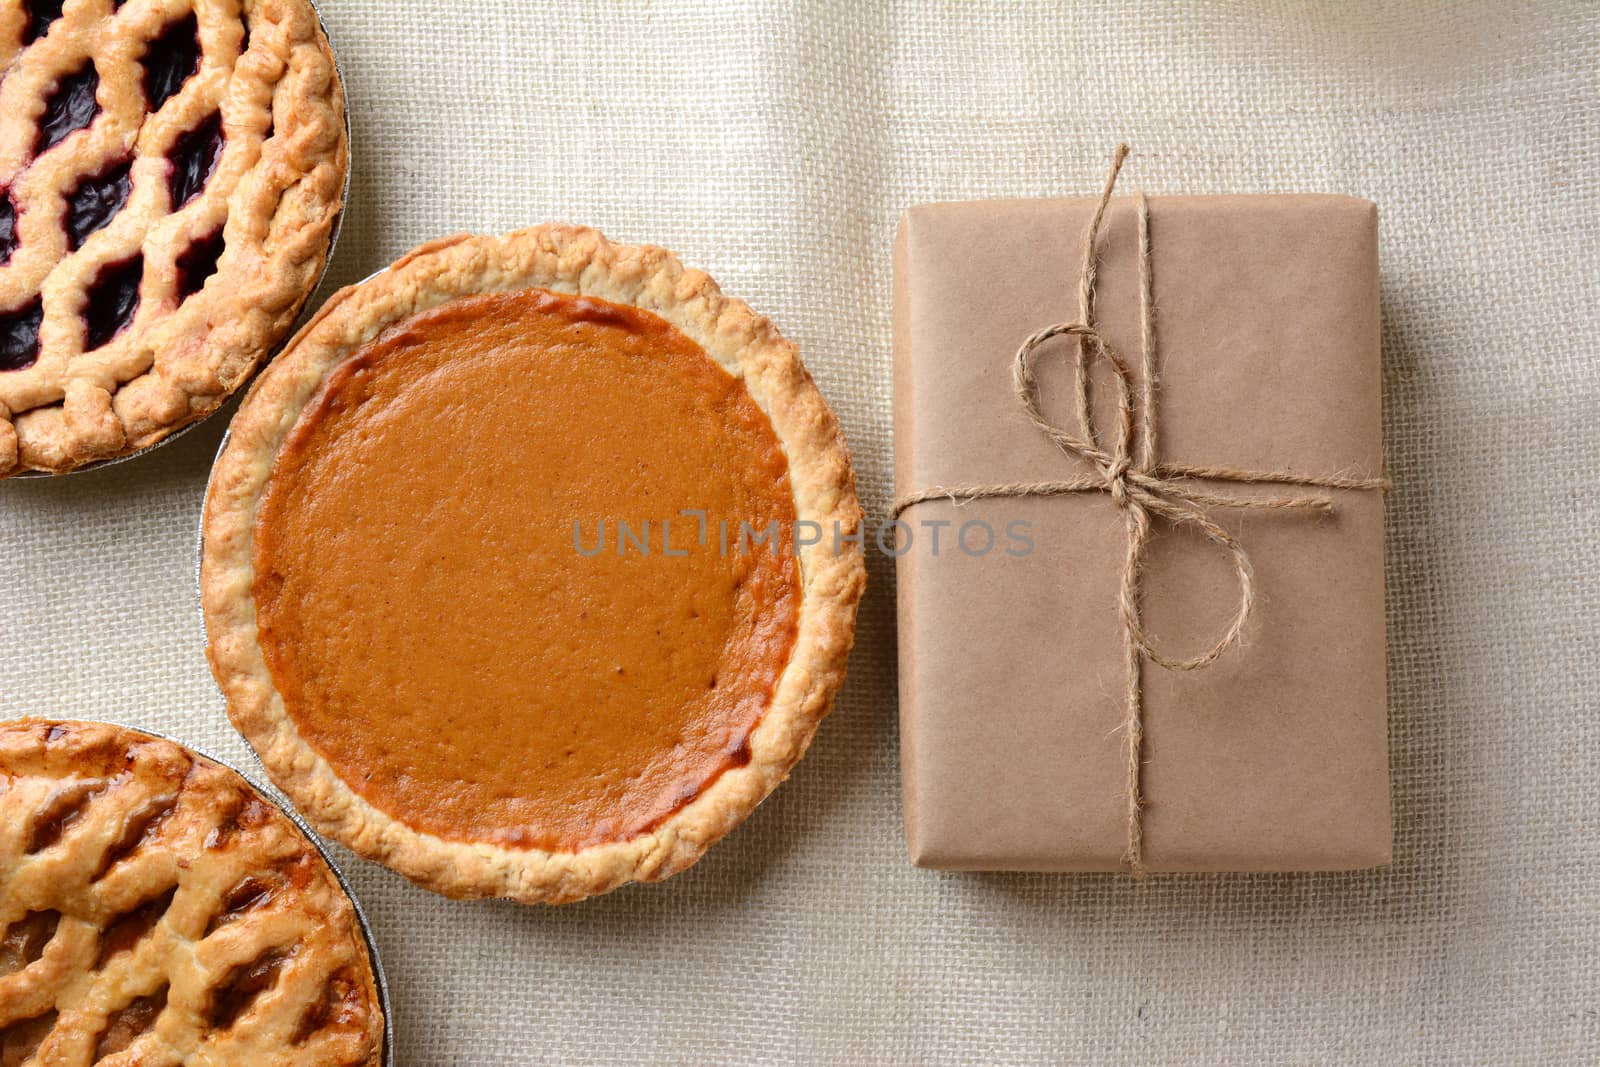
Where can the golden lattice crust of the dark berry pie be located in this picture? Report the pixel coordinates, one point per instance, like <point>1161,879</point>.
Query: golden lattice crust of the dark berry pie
<point>276,193</point>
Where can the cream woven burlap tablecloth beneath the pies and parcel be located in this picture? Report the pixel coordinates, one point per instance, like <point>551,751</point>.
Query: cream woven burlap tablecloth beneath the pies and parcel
<point>775,145</point>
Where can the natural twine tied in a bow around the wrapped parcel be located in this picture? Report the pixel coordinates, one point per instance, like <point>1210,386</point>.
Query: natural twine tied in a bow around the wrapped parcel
<point>1142,489</point>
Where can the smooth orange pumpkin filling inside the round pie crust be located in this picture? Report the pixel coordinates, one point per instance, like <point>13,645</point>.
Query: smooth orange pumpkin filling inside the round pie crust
<point>439,610</point>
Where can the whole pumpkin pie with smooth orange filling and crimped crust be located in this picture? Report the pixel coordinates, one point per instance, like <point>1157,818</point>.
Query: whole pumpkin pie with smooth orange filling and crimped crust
<point>532,565</point>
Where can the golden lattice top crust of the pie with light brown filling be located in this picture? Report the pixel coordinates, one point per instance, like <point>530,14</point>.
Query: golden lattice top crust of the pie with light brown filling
<point>154,909</point>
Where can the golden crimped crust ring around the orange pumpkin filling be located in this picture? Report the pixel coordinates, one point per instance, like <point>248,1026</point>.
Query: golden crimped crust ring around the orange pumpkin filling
<point>567,260</point>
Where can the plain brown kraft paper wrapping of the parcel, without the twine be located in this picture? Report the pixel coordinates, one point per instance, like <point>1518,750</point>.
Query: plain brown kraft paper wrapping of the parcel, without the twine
<point>1012,668</point>
